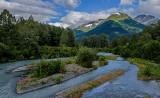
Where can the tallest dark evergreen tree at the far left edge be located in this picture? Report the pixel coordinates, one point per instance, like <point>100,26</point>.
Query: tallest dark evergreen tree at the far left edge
<point>7,28</point>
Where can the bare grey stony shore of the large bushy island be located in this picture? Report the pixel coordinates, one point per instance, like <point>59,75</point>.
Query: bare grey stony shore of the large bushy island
<point>73,70</point>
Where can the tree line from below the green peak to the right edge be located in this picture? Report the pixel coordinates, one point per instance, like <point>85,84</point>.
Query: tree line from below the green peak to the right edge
<point>145,45</point>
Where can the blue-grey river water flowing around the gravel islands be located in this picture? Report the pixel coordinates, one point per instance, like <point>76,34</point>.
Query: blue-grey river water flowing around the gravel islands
<point>123,86</point>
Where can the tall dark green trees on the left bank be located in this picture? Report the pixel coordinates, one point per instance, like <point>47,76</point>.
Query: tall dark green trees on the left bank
<point>22,39</point>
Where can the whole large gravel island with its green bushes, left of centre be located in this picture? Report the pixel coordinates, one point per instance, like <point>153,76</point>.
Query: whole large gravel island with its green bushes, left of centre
<point>46,73</point>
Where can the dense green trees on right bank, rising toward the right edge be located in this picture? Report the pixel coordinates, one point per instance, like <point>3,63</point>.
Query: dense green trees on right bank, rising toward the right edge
<point>146,45</point>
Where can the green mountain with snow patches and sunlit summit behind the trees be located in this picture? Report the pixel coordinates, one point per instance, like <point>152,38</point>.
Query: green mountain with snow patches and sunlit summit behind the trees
<point>115,25</point>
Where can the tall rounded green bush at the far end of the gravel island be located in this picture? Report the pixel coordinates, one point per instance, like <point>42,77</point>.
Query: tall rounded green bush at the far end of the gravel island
<point>85,57</point>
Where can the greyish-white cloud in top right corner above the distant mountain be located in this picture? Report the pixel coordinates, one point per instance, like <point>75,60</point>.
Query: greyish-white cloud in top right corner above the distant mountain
<point>151,7</point>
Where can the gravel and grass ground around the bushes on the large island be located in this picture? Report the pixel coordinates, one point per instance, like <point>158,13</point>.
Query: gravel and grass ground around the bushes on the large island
<point>72,70</point>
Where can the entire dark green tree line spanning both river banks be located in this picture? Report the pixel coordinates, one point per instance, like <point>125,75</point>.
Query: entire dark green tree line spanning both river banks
<point>27,39</point>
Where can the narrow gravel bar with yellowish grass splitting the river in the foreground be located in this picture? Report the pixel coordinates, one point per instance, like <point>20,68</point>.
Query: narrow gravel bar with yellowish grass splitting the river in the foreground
<point>77,91</point>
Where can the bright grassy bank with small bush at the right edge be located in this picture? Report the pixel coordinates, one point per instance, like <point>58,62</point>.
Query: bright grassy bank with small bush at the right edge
<point>148,70</point>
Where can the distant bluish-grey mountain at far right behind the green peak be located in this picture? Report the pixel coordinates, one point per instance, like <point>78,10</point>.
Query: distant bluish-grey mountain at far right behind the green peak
<point>146,19</point>
